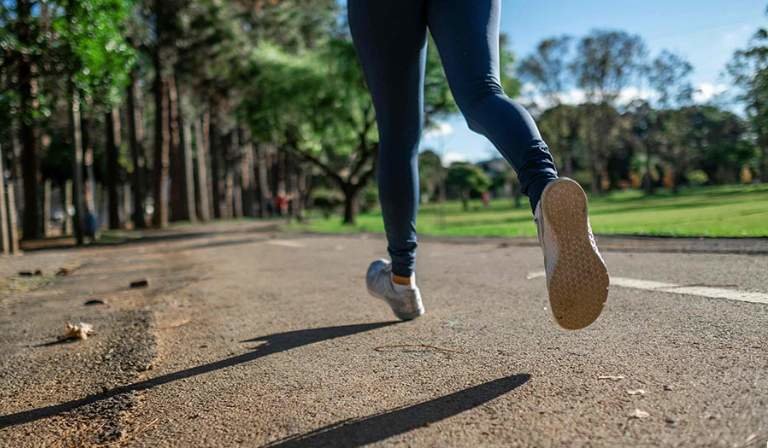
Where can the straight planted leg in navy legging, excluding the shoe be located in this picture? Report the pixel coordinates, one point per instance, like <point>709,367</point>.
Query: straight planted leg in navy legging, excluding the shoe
<point>391,37</point>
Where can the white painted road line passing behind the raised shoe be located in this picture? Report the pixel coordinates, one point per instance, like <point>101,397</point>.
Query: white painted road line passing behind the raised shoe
<point>701,291</point>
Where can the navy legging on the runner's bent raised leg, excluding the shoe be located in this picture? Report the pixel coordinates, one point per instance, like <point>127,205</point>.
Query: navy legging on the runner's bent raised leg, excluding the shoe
<point>467,36</point>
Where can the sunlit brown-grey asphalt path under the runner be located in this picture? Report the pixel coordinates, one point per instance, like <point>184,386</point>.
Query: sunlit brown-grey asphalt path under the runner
<point>250,337</point>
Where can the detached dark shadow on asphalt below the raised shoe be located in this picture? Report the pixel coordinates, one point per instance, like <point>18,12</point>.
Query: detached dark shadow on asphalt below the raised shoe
<point>377,427</point>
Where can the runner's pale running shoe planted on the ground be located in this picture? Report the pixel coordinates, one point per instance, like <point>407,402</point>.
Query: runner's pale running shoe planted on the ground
<point>405,301</point>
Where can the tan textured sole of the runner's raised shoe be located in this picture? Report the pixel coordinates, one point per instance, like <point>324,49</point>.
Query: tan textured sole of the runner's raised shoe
<point>578,287</point>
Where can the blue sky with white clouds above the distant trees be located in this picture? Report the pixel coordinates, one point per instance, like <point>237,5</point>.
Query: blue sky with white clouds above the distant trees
<point>705,32</point>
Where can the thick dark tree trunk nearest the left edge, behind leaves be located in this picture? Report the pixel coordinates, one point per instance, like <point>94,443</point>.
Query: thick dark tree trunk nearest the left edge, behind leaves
<point>27,104</point>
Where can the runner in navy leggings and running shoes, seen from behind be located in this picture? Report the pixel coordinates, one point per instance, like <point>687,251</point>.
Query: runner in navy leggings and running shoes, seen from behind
<point>391,41</point>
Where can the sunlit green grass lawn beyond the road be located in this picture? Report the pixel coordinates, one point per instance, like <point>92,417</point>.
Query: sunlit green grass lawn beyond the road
<point>726,211</point>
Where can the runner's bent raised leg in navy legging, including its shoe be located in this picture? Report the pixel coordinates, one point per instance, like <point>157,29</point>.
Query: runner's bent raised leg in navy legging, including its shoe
<point>467,35</point>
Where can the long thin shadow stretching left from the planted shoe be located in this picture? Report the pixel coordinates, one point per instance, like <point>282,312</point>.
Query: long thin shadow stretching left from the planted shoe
<point>276,343</point>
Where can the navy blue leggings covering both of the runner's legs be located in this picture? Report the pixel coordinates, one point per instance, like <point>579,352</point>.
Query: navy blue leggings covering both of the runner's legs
<point>391,41</point>
